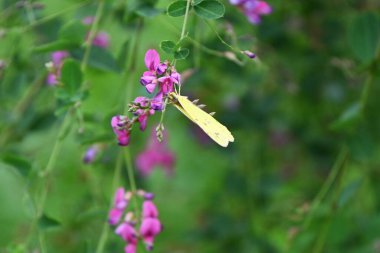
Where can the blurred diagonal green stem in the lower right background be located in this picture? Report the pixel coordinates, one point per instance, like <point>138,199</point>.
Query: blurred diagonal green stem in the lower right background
<point>339,162</point>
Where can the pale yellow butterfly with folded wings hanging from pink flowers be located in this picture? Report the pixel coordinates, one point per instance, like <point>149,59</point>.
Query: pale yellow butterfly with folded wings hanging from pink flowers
<point>219,133</point>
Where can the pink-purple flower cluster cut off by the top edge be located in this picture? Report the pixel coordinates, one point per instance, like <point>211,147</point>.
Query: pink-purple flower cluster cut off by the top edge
<point>253,9</point>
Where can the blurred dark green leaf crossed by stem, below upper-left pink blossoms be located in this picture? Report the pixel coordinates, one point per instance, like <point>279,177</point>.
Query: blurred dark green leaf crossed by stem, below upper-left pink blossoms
<point>99,58</point>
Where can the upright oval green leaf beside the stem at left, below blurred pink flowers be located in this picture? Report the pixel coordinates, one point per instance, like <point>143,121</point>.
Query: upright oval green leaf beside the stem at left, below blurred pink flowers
<point>71,76</point>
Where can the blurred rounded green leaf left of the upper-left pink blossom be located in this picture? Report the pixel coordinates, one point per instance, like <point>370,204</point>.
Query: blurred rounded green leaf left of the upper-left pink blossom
<point>73,31</point>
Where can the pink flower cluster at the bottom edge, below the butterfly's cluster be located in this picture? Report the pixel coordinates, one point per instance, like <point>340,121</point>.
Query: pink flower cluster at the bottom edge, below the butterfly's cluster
<point>150,225</point>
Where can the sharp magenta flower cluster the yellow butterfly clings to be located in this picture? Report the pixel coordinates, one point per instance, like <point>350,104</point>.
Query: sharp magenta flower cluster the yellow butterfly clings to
<point>160,76</point>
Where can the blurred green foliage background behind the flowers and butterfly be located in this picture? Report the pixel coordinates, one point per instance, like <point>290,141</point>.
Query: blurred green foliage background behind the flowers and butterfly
<point>301,176</point>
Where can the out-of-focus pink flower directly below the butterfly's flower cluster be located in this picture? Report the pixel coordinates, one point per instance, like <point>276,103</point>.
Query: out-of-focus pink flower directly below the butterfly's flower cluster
<point>156,154</point>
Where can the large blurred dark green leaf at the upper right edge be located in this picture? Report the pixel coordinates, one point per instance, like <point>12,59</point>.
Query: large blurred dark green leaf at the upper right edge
<point>364,36</point>
